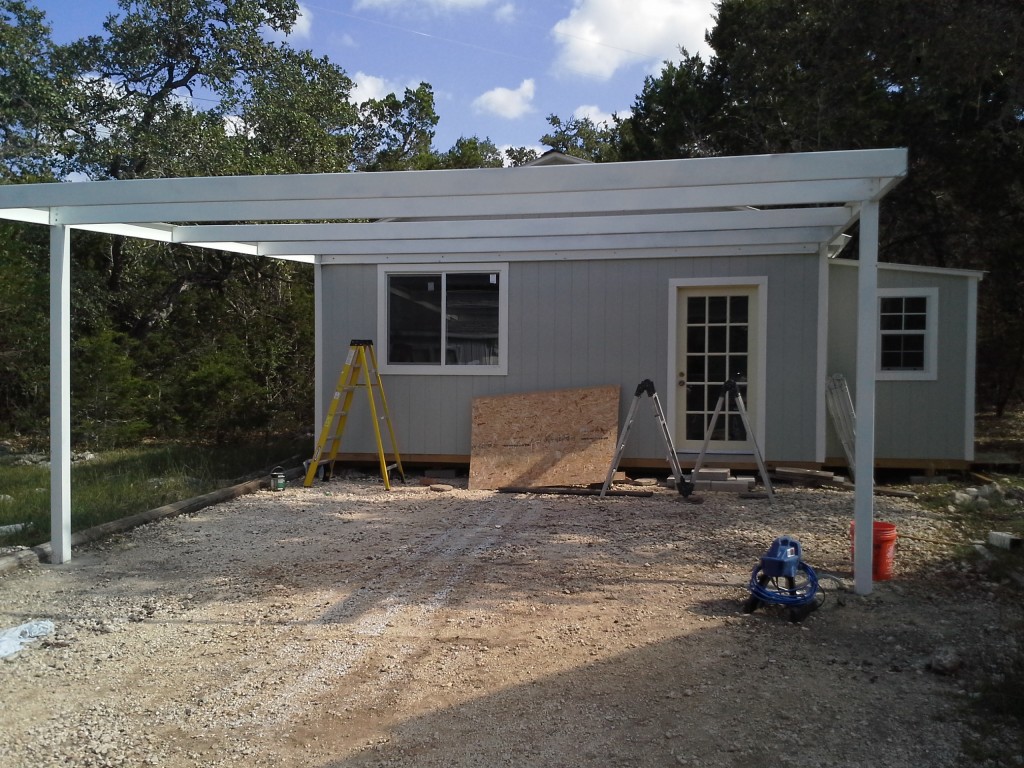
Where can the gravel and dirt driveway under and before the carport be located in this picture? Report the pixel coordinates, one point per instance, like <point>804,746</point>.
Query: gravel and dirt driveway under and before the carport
<point>345,626</point>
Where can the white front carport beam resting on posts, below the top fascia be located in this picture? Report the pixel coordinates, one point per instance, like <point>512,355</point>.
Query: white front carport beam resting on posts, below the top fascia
<point>464,206</point>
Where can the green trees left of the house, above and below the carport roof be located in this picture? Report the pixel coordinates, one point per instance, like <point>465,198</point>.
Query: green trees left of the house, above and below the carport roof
<point>170,340</point>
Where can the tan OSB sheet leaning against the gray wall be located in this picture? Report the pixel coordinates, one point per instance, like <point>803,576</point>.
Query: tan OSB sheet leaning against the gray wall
<point>562,438</point>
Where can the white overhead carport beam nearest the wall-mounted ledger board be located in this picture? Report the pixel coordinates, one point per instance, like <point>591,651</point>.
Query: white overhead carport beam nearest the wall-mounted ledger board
<point>798,237</point>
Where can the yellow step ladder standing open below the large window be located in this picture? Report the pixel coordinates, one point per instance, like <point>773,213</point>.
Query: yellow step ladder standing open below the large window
<point>360,371</point>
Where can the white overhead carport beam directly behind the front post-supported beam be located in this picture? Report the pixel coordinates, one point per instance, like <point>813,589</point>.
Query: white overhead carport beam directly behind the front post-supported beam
<point>835,218</point>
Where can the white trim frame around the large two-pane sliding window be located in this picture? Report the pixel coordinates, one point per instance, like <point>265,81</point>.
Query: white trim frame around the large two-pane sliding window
<point>444,369</point>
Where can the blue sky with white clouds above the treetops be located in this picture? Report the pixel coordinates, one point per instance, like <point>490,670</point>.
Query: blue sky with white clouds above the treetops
<point>498,67</point>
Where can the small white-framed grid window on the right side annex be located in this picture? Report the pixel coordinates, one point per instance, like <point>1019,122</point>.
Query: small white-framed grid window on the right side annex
<point>908,339</point>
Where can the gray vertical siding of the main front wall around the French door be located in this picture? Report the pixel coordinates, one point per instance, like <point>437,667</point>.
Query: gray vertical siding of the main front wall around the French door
<point>580,324</point>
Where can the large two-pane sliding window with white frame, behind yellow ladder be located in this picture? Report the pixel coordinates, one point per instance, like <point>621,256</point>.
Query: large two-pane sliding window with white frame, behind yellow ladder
<point>443,320</point>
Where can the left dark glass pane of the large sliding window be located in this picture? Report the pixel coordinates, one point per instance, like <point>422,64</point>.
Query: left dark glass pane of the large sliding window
<point>414,319</point>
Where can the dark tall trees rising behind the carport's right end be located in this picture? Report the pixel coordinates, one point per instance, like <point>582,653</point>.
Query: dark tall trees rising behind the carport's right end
<point>945,79</point>
